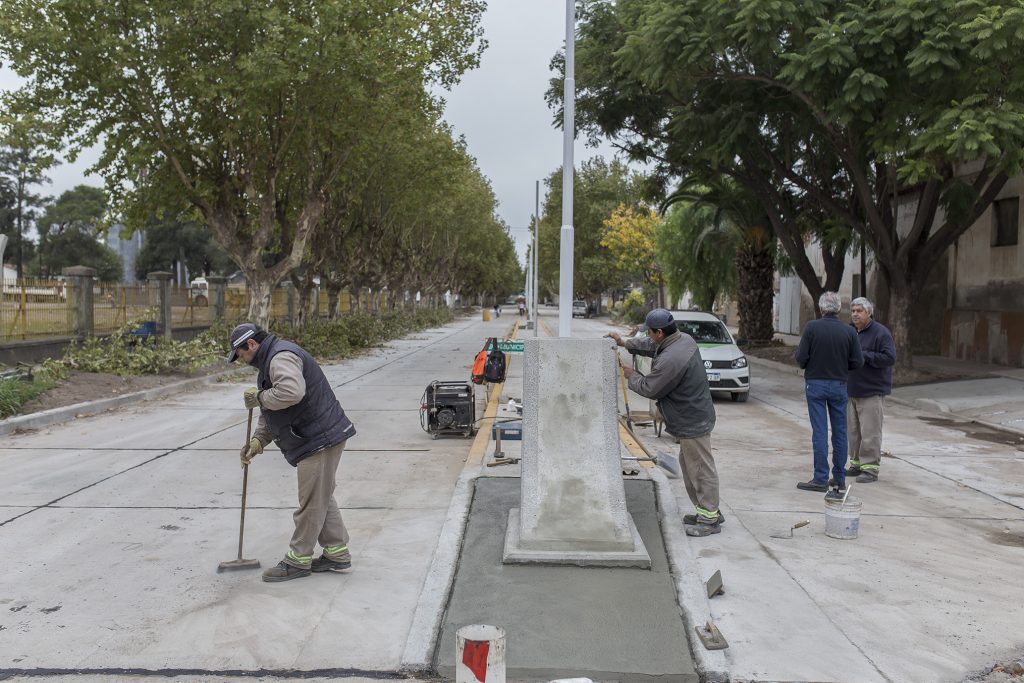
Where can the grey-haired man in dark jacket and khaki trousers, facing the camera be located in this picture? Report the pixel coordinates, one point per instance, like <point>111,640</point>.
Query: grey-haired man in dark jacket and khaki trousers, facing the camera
<point>867,389</point>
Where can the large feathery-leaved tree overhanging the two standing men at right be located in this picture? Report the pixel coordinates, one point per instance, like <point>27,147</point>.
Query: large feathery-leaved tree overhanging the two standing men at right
<point>861,110</point>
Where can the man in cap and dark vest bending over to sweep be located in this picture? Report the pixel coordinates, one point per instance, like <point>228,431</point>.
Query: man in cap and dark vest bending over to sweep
<point>301,413</point>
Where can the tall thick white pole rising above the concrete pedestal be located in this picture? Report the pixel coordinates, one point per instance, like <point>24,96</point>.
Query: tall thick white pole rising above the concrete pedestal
<point>569,134</point>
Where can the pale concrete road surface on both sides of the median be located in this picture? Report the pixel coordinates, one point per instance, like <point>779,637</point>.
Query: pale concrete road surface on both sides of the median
<point>113,527</point>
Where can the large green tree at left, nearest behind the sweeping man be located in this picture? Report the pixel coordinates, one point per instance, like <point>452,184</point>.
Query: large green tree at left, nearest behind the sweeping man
<point>248,112</point>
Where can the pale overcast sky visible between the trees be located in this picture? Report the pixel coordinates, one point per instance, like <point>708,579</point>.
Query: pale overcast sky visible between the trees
<point>499,109</point>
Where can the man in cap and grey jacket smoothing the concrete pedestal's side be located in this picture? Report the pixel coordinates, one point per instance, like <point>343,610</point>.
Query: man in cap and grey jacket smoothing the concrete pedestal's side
<point>679,383</point>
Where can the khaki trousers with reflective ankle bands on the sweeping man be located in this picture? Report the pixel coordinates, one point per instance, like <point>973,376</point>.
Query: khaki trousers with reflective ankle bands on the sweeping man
<point>318,518</point>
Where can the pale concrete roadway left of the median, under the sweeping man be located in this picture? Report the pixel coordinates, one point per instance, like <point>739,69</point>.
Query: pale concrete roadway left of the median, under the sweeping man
<point>113,528</point>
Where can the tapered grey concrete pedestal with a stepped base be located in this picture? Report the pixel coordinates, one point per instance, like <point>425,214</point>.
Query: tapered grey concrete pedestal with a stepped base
<point>573,503</point>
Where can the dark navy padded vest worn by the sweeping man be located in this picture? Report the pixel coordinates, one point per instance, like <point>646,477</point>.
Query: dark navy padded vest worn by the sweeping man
<point>315,423</point>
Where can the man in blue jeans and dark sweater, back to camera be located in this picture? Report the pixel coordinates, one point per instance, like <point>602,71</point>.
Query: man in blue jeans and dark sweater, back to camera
<point>828,352</point>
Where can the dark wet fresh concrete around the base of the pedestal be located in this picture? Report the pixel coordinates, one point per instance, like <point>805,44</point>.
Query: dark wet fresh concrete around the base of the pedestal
<point>605,624</point>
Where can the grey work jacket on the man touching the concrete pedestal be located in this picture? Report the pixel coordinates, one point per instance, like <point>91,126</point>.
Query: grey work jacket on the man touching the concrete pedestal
<point>679,383</point>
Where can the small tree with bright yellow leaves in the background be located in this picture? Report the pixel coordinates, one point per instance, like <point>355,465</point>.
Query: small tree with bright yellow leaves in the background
<point>630,237</point>
